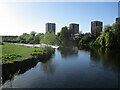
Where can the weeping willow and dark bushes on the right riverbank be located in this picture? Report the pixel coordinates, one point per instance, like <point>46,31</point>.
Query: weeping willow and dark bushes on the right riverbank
<point>110,37</point>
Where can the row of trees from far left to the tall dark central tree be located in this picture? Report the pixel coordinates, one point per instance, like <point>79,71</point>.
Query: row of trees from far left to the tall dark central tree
<point>62,38</point>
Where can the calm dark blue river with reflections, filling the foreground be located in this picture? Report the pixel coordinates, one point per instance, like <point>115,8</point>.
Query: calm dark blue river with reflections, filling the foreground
<point>69,67</point>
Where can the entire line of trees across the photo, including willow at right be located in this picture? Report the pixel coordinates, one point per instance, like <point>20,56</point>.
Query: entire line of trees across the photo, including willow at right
<point>110,37</point>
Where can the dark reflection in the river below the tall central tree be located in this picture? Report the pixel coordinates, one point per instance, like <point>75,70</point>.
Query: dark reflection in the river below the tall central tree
<point>68,51</point>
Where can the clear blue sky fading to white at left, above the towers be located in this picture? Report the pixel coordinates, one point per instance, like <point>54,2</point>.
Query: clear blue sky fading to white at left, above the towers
<point>32,16</point>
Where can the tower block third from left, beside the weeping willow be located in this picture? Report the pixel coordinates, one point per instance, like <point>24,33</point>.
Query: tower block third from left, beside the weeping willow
<point>96,28</point>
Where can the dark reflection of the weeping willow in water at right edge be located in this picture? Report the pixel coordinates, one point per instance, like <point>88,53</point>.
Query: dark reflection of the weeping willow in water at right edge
<point>108,57</point>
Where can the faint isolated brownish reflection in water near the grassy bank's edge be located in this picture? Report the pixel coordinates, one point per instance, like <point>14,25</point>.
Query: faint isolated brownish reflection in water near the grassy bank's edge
<point>48,67</point>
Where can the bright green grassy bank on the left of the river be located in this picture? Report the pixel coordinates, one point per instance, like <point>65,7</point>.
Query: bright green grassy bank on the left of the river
<point>12,52</point>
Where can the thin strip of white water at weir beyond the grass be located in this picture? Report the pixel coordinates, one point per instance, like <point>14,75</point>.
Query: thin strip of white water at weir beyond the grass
<point>37,45</point>
